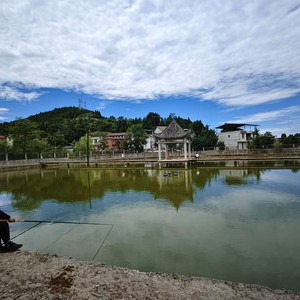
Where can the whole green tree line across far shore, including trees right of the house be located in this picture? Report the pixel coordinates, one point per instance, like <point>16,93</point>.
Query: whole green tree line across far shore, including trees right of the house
<point>53,130</point>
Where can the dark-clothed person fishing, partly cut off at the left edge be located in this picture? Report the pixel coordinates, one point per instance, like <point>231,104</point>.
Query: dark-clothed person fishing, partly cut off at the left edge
<point>8,245</point>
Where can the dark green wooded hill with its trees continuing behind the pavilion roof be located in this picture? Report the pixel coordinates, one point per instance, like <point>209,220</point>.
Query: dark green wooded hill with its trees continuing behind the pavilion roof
<point>63,126</point>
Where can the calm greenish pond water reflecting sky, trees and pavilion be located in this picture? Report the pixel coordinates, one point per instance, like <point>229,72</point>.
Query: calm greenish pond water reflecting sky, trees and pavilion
<point>231,224</point>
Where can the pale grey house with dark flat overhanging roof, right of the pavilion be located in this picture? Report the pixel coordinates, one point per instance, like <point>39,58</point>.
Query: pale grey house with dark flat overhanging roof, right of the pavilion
<point>236,136</point>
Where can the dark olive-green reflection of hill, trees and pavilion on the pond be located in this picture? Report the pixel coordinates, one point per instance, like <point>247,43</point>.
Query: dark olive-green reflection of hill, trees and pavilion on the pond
<point>30,188</point>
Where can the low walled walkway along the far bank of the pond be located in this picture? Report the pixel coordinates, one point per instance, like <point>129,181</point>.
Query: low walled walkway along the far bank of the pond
<point>150,160</point>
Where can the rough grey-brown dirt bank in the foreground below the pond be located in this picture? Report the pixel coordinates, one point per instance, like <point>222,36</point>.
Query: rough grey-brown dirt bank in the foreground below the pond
<point>28,275</point>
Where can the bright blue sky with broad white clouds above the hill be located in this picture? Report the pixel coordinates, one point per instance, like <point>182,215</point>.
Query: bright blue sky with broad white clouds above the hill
<point>211,60</point>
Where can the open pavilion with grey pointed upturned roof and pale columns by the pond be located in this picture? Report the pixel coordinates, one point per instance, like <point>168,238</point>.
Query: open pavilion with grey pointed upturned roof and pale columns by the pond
<point>174,134</point>
